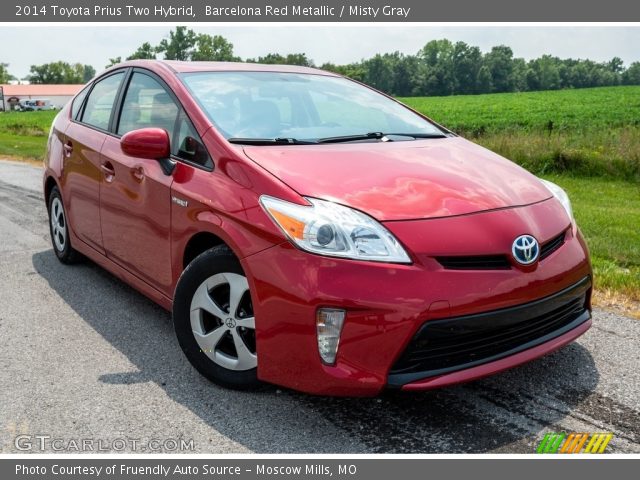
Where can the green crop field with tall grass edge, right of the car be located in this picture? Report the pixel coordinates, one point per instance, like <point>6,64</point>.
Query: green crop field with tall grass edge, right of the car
<point>589,132</point>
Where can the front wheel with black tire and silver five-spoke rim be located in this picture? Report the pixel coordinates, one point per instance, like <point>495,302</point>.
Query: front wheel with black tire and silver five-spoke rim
<point>213,319</point>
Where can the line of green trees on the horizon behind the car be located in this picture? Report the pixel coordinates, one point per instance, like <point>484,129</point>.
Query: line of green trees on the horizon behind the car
<point>440,68</point>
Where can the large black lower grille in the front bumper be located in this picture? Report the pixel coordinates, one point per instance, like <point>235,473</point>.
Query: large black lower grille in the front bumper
<point>443,346</point>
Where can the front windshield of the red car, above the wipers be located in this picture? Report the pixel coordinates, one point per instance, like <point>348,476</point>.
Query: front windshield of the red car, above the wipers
<point>273,105</point>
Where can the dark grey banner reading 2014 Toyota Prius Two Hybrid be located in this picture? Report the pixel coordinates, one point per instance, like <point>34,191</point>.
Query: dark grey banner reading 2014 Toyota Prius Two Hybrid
<point>319,11</point>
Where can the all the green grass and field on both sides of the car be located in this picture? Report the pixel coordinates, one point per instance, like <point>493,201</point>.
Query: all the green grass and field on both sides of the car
<point>587,141</point>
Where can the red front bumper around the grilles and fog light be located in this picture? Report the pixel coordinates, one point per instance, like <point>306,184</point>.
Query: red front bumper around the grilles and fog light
<point>388,304</point>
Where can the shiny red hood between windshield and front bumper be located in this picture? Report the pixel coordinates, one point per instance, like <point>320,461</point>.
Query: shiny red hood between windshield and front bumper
<point>404,180</point>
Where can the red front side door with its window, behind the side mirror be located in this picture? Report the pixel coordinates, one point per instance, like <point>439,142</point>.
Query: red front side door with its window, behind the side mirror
<point>135,204</point>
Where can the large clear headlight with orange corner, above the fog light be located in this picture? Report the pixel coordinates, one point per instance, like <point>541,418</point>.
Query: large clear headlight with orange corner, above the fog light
<point>330,229</point>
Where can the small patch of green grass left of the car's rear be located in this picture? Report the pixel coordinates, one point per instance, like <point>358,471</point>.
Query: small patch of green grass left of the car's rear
<point>24,134</point>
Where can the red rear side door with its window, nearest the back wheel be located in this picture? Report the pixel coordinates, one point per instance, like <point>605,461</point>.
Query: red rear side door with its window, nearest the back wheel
<point>83,170</point>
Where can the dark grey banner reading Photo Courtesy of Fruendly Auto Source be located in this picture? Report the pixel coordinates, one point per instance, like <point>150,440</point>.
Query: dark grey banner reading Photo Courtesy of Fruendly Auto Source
<point>313,468</point>
